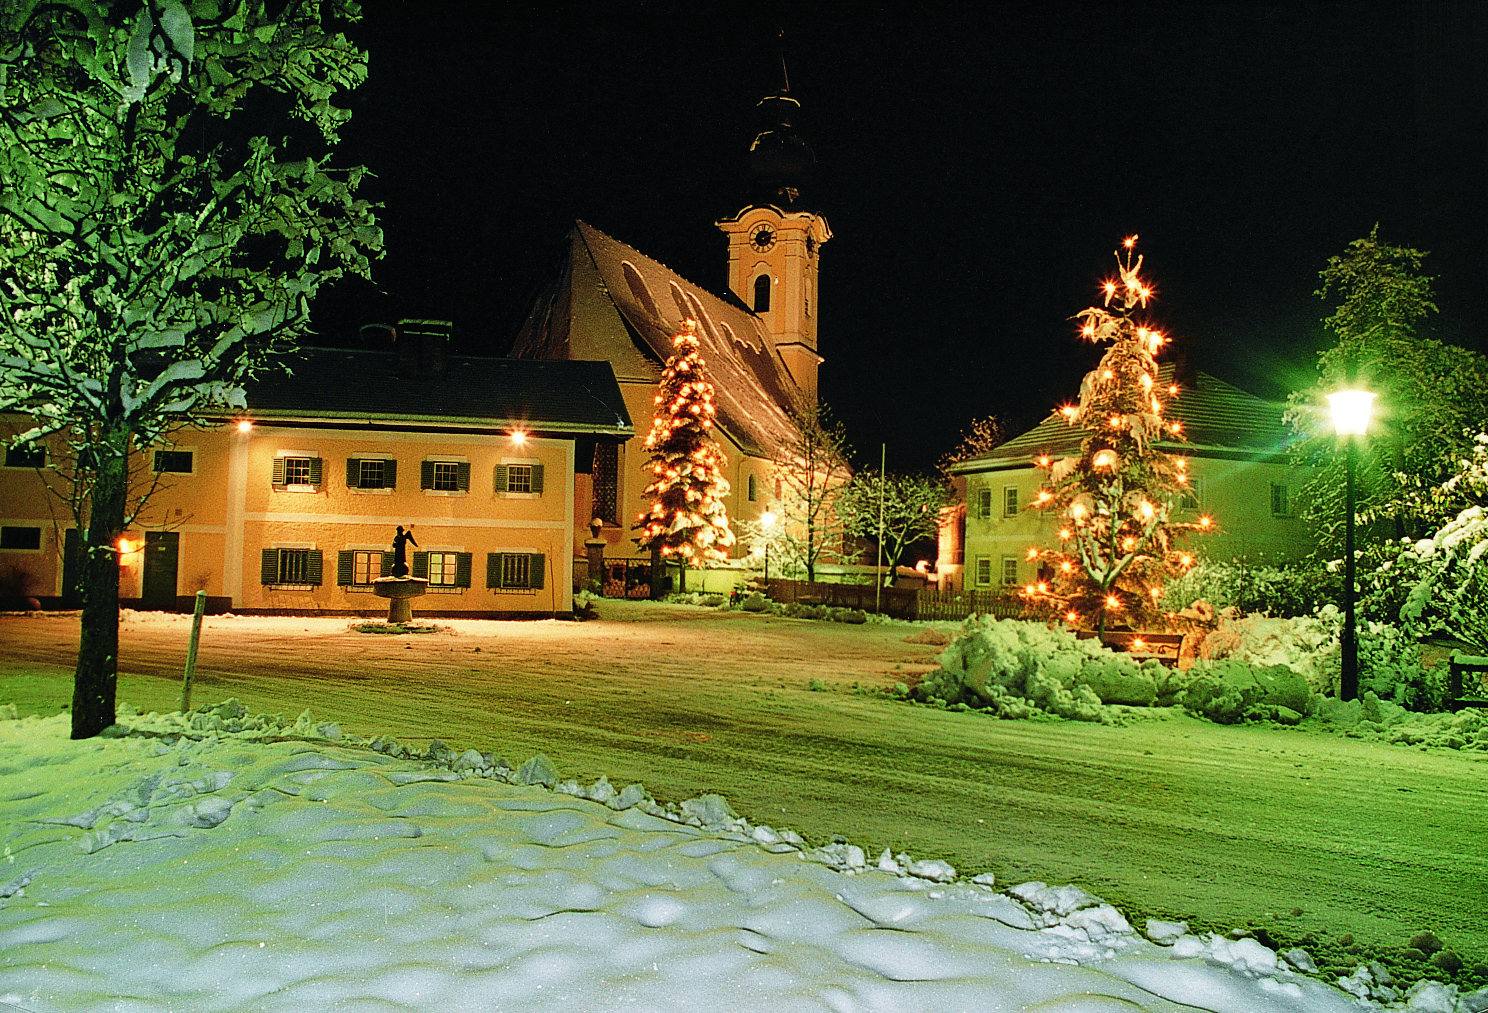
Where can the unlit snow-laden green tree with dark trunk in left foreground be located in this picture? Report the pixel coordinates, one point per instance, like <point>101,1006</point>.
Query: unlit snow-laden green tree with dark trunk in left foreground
<point>155,249</point>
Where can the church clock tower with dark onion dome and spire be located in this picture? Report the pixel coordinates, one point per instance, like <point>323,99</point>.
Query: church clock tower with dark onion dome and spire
<point>776,245</point>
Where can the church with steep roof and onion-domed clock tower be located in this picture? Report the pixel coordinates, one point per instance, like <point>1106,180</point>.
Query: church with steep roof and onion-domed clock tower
<point>760,340</point>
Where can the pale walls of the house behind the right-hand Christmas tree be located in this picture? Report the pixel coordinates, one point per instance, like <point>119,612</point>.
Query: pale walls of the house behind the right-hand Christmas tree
<point>1236,495</point>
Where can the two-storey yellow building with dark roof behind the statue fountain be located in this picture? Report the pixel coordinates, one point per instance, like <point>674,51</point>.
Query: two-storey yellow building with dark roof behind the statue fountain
<point>292,506</point>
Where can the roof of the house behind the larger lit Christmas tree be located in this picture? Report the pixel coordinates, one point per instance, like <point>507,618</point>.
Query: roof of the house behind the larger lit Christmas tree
<point>1219,420</point>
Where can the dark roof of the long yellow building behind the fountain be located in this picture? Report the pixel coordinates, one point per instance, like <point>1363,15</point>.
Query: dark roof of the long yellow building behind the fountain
<point>469,393</point>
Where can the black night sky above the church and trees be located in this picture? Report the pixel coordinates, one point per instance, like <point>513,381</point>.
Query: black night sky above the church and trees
<point>977,172</point>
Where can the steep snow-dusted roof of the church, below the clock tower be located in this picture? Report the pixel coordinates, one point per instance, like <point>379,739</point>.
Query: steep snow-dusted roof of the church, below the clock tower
<point>614,303</point>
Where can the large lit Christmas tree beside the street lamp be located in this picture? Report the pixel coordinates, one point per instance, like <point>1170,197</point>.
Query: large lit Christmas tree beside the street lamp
<point>1118,544</point>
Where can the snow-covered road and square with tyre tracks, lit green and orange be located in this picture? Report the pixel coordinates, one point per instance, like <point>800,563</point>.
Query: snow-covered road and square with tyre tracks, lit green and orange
<point>1286,832</point>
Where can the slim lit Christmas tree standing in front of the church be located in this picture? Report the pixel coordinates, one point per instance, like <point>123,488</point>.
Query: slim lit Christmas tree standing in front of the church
<point>688,520</point>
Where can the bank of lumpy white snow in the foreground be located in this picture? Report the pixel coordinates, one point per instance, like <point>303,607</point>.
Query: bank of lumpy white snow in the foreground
<point>297,871</point>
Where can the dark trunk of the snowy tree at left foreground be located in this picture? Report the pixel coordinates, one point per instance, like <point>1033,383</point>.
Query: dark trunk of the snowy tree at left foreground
<point>97,673</point>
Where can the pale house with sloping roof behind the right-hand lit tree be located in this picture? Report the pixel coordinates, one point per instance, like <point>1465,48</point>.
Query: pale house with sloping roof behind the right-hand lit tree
<point>1237,462</point>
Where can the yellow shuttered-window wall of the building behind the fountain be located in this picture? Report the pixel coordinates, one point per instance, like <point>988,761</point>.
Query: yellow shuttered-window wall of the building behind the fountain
<point>228,511</point>
